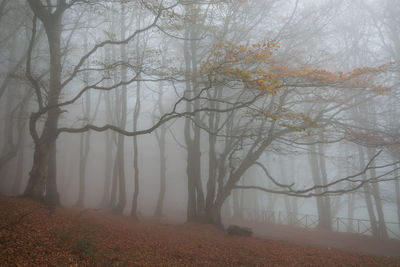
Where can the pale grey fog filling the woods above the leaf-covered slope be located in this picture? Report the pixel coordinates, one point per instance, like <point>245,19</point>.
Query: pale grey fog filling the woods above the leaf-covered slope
<point>211,111</point>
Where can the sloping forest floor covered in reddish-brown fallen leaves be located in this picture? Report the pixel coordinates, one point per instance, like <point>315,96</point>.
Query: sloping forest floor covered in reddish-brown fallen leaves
<point>33,235</point>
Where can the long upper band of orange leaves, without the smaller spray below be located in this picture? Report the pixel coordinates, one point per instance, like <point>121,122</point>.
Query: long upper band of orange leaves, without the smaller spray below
<point>256,69</point>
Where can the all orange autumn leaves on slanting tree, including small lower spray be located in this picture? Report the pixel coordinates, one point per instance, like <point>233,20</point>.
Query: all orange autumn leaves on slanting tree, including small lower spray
<point>256,68</point>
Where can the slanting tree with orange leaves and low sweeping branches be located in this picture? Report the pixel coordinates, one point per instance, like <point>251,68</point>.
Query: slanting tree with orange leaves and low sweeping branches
<point>281,86</point>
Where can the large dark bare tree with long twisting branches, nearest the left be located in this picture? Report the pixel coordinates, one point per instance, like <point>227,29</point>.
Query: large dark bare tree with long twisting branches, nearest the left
<point>42,182</point>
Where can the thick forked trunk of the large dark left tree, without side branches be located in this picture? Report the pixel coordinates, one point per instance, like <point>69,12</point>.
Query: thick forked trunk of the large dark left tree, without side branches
<point>42,181</point>
